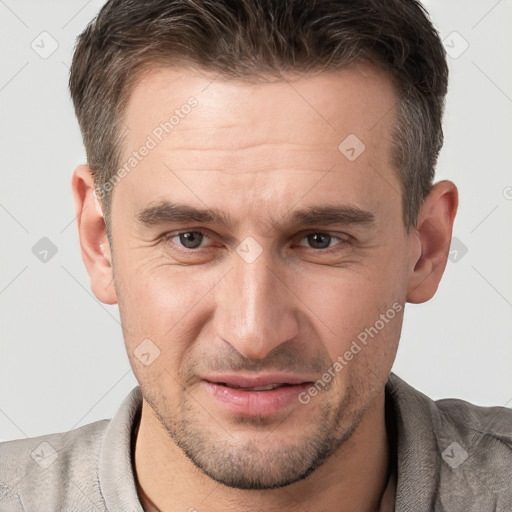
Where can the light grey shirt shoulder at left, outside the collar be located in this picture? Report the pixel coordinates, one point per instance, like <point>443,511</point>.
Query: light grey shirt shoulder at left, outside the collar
<point>62,468</point>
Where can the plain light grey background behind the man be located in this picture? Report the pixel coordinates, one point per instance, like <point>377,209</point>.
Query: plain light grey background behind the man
<point>62,357</point>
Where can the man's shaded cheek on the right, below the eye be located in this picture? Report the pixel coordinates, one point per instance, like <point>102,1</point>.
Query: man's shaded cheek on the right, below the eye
<point>363,304</point>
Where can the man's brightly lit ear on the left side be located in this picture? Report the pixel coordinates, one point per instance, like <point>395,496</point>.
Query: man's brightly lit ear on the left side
<point>93,236</point>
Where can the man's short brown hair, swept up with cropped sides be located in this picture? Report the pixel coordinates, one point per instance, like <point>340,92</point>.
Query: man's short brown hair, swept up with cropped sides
<point>247,39</point>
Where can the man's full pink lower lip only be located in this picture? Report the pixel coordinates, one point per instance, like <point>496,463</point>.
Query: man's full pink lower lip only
<point>255,403</point>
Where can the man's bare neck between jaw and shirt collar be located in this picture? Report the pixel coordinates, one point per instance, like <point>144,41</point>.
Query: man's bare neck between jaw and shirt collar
<point>354,478</point>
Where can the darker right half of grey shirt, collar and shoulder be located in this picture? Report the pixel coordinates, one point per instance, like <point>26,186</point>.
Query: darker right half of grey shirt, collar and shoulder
<point>466,448</point>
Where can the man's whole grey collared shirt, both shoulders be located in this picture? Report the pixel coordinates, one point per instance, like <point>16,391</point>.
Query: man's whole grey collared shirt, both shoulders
<point>452,456</point>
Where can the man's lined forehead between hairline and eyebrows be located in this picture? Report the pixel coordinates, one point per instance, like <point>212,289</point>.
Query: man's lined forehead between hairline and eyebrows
<point>255,140</point>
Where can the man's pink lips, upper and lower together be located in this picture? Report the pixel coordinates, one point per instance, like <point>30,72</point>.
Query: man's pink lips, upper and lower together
<point>243,402</point>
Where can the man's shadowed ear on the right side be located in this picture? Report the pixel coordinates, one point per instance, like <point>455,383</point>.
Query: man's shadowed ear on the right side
<point>430,242</point>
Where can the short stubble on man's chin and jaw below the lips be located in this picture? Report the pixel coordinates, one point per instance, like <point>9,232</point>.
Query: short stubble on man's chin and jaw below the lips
<point>270,462</point>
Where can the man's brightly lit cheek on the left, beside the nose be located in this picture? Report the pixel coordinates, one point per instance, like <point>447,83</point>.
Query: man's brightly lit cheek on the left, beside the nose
<point>155,308</point>
